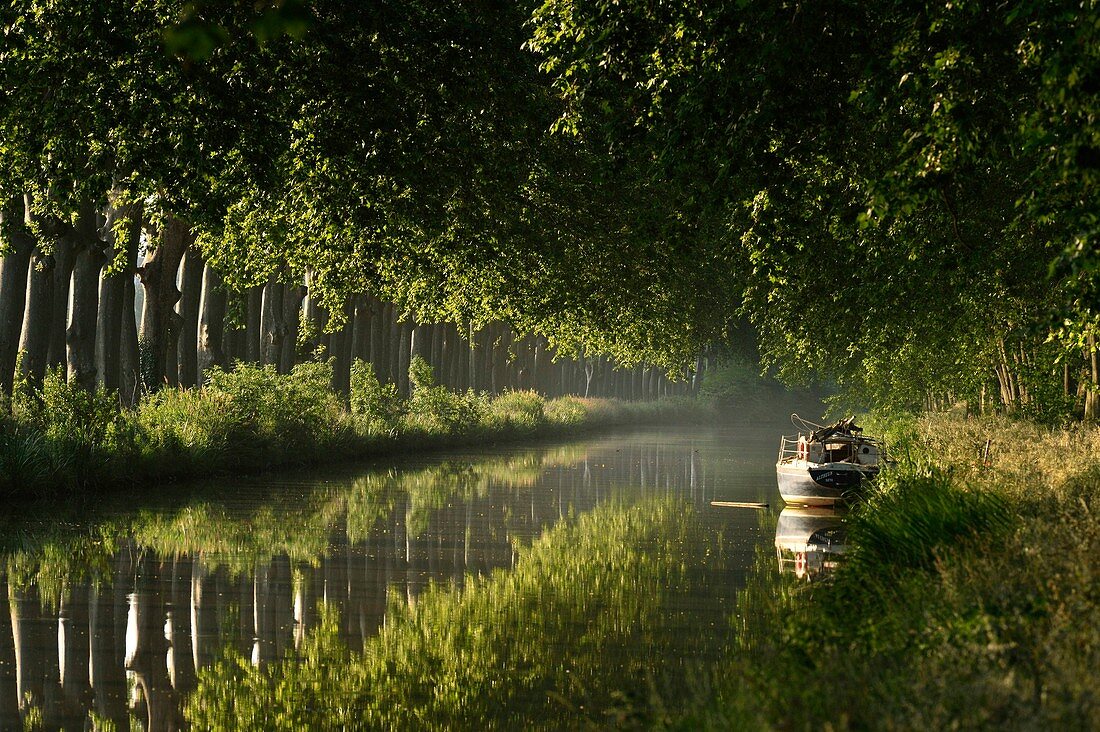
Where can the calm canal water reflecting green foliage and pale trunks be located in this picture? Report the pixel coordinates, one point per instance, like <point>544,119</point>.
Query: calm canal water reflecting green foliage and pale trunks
<point>554,586</point>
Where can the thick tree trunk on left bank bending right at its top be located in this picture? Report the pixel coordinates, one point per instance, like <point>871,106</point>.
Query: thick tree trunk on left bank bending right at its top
<point>161,324</point>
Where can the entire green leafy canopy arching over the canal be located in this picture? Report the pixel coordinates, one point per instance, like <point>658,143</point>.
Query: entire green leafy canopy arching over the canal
<point>896,194</point>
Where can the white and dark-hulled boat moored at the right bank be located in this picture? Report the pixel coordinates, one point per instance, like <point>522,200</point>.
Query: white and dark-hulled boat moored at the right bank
<point>822,466</point>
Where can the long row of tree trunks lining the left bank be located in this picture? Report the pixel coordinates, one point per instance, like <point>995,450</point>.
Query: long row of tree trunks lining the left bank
<point>142,324</point>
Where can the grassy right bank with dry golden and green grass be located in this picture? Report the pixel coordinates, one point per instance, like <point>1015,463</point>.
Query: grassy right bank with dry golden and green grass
<point>970,597</point>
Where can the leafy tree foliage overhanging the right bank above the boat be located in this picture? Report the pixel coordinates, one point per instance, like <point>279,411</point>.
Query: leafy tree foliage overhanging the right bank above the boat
<point>903,183</point>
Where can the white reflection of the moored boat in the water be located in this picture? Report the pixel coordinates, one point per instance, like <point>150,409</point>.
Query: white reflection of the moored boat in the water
<point>810,541</point>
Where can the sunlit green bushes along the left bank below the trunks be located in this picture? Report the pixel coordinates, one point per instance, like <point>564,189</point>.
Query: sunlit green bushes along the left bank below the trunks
<point>61,438</point>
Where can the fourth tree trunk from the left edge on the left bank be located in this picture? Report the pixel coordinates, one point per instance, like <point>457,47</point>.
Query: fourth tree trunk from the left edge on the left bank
<point>81,337</point>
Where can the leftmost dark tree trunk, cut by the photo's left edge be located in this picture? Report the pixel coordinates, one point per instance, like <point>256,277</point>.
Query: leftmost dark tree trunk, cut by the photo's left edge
<point>14,272</point>
